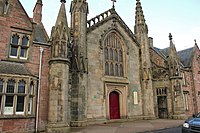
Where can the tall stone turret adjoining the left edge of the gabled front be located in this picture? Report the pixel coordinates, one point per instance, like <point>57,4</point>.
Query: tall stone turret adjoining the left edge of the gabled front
<point>79,11</point>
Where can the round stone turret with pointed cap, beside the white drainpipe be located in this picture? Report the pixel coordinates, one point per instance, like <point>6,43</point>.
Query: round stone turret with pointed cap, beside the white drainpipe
<point>58,113</point>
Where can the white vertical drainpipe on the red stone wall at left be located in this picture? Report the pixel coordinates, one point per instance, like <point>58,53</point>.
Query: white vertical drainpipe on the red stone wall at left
<point>38,93</point>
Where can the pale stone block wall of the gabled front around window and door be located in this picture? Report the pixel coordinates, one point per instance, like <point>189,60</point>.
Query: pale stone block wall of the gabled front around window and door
<point>97,106</point>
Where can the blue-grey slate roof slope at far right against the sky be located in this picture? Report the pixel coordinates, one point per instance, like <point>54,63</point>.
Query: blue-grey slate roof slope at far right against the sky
<point>186,56</point>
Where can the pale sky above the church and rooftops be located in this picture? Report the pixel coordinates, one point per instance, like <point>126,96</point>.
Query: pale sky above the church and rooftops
<point>179,17</point>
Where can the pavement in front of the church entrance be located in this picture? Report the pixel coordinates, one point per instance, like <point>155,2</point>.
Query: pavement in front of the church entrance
<point>129,127</point>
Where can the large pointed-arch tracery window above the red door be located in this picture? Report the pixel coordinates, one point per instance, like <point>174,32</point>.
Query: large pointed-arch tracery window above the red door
<point>113,56</point>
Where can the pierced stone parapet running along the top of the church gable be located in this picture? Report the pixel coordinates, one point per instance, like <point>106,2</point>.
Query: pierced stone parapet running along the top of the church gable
<point>106,16</point>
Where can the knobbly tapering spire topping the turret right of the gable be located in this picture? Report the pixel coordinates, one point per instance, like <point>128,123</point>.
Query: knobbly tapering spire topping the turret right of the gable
<point>139,18</point>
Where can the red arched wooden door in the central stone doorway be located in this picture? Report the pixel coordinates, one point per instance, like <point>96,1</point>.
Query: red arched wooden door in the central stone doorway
<point>114,105</point>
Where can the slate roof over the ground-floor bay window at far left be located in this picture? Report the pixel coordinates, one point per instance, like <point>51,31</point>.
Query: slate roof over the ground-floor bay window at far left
<point>13,68</point>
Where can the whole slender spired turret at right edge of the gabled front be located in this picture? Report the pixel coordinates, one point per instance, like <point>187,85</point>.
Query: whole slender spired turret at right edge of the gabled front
<point>141,33</point>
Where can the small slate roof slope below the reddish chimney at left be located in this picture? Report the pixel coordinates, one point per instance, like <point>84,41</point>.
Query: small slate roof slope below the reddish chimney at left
<point>40,35</point>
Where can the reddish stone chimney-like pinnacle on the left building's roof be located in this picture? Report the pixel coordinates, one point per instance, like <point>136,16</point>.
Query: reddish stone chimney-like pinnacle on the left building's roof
<point>37,12</point>
